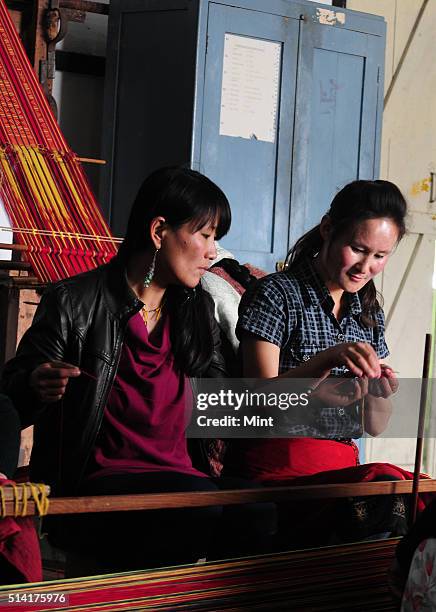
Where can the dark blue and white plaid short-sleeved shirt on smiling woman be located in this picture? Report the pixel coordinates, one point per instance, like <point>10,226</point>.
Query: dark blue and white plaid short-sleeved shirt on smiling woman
<point>294,310</point>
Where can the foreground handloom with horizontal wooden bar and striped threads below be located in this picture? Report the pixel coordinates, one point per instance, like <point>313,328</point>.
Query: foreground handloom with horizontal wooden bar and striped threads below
<point>348,577</point>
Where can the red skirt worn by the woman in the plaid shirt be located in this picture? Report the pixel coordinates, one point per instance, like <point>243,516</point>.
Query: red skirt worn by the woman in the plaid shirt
<point>309,461</point>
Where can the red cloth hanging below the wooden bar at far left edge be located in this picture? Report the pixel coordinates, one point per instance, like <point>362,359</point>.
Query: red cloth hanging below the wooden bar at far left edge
<point>19,545</point>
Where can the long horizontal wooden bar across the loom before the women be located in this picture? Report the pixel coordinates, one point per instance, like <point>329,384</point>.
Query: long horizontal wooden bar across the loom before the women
<point>198,499</point>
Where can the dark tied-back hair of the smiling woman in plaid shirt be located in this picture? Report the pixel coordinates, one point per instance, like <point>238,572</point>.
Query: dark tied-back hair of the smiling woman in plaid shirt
<point>356,202</point>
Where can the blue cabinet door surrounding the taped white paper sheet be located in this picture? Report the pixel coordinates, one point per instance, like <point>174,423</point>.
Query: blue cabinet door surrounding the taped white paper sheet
<point>254,173</point>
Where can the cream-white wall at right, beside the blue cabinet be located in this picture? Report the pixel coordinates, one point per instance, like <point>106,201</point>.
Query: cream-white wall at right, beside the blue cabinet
<point>408,157</point>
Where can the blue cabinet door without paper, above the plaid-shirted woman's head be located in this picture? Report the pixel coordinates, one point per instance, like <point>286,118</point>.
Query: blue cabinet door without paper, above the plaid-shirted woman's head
<point>337,117</point>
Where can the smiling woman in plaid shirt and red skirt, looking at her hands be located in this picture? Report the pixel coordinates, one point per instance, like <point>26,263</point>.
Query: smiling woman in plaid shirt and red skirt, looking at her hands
<point>320,319</point>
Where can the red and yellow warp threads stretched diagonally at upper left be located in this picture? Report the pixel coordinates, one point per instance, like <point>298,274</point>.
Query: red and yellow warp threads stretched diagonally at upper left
<point>42,184</point>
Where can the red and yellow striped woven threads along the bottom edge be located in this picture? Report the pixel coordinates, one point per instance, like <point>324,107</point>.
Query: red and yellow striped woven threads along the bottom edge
<point>351,577</point>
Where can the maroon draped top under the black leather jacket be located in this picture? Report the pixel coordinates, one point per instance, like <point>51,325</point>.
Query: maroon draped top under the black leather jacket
<point>144,421</point>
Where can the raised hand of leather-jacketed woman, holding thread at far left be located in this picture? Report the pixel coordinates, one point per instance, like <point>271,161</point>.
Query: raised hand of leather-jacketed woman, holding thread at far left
<point>49,380</point>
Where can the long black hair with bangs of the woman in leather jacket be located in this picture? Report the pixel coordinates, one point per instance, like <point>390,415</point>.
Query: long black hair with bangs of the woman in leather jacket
<point>180,195</point>
